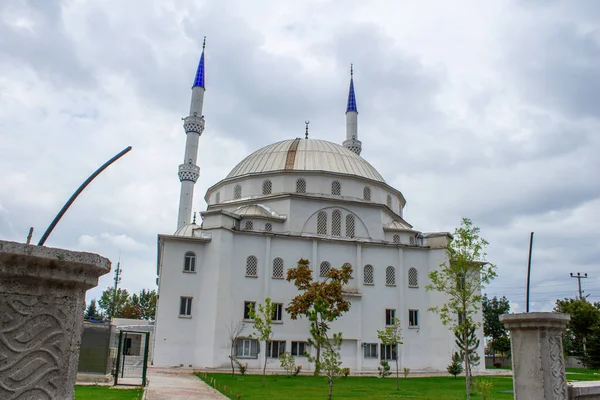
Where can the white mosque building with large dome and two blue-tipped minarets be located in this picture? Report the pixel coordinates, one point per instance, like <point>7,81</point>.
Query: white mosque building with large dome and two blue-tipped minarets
<point>298,198</point>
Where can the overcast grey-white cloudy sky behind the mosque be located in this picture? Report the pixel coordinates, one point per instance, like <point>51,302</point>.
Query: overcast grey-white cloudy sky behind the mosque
<point>487,110</point>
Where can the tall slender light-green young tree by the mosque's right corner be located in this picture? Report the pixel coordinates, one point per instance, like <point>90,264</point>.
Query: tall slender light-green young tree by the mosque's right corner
<point>462,278</point>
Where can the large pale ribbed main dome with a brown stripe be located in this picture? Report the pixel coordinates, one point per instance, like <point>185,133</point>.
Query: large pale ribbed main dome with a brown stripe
<point>305,155</point>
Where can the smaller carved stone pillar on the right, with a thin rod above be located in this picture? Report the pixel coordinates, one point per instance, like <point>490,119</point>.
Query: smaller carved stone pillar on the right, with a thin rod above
<point>537,355</point>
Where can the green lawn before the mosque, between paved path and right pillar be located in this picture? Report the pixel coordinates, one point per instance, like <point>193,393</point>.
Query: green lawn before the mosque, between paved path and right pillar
<point>310,387</point>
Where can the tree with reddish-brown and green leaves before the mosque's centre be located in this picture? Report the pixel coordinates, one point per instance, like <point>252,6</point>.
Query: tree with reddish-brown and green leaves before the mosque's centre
<point>321,302</point>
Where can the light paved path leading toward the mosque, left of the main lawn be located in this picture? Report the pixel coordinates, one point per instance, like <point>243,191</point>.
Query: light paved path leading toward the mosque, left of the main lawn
<point>178,386</point>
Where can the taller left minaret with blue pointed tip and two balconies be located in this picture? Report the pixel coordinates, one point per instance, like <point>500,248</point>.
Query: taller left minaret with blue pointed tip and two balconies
<point>194,126</point>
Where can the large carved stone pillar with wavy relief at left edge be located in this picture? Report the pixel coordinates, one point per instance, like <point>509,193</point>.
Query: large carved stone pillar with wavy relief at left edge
<point>42,301</point>
